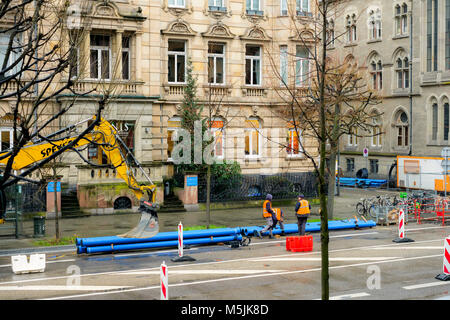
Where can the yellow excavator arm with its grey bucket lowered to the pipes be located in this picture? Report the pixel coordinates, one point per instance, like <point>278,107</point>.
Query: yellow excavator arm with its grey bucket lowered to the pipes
<point>104,135</point>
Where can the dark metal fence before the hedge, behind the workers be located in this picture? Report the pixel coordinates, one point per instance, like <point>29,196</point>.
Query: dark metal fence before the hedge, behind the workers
<point>256,187</point>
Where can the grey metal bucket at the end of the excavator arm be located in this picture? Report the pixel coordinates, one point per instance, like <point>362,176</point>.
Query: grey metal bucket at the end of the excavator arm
<point>148,225</point>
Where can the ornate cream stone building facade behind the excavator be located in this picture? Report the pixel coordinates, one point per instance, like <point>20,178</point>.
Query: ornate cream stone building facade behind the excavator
<point>138,50</point>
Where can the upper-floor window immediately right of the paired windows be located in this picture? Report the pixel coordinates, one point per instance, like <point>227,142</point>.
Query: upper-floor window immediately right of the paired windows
<point>176,61</point>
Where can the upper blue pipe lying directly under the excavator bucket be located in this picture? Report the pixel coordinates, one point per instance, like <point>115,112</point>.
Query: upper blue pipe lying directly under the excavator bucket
<point>163,236</point>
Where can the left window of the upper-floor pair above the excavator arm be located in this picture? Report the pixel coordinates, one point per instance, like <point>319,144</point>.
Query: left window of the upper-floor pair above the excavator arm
<point>100,58</point>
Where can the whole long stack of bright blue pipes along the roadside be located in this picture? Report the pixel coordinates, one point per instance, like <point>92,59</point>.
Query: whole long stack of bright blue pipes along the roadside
<point>200,237</point>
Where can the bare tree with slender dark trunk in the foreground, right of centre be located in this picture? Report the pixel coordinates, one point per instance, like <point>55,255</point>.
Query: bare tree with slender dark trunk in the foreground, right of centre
<point>326,97</point>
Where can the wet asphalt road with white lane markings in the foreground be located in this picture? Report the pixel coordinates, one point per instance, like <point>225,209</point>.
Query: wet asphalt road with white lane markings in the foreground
<point>364,264</point>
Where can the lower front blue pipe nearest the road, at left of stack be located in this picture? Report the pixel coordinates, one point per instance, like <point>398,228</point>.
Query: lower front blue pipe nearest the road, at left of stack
<point>160,244</point>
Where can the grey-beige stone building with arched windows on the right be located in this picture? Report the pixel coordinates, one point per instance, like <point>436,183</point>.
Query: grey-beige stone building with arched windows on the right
<point>405,48</point>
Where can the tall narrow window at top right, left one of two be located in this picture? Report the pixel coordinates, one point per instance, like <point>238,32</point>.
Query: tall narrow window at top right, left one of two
<point>432,30</point>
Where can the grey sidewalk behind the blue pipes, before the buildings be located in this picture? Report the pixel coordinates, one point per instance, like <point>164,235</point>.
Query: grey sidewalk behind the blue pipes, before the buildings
<point>109,225</point>
